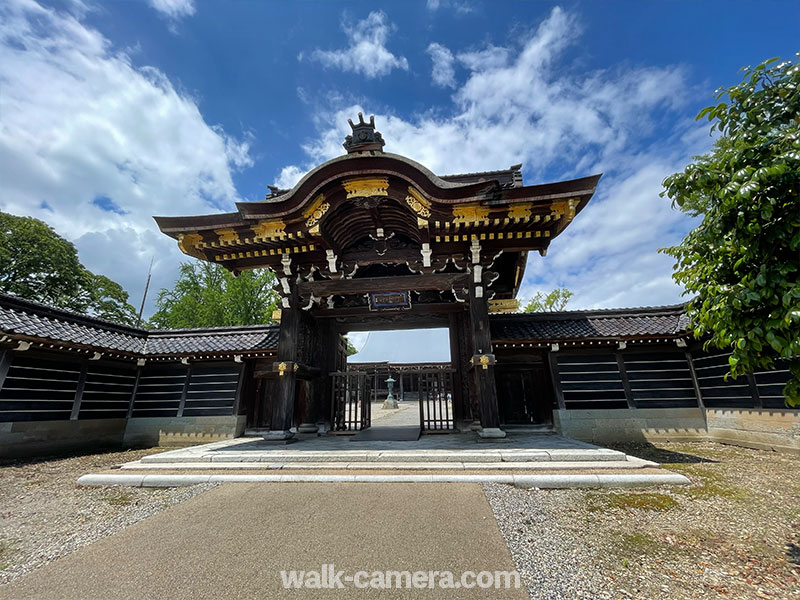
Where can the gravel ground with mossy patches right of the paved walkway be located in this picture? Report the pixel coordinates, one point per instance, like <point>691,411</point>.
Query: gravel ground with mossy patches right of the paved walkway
<point>734,533</point>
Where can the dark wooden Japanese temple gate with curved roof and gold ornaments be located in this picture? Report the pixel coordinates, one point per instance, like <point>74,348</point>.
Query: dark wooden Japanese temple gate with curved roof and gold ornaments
<point>372,240</point>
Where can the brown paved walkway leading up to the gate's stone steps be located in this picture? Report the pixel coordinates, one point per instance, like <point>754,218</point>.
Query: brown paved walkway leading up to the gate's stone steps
<point>233,541</point>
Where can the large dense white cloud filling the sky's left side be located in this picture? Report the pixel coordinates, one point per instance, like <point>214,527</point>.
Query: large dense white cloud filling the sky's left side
<point>81,121</point>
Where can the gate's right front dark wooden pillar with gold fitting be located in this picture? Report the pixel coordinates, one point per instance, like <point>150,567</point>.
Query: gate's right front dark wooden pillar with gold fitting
<point>483,373</point>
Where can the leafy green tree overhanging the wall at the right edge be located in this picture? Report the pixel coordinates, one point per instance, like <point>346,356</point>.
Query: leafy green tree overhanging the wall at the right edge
<point>742,262</point>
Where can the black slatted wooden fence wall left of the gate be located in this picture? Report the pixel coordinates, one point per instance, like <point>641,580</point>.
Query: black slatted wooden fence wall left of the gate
<point>52,387</point>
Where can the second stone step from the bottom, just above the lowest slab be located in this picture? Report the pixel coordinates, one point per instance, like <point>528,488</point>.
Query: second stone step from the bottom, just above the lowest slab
<point>630,464</point>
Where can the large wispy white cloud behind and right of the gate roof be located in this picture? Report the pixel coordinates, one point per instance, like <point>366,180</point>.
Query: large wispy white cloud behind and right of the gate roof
<point>524,104</point>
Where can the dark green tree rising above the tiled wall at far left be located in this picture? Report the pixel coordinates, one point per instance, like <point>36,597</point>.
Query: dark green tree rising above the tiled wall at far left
<point>38,264</point>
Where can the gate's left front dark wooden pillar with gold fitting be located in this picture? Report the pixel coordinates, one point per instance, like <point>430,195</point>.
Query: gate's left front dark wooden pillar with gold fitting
<point>286,381</point>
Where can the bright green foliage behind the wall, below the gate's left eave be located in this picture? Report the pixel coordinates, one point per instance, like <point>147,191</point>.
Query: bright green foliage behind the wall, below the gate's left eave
<point>206,295</point>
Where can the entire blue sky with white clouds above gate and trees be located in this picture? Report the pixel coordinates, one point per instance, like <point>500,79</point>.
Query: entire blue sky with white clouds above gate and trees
<point>116,111</point>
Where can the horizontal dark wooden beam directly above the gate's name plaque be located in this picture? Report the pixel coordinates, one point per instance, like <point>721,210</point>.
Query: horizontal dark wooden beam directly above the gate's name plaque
<point>436,281</point>
